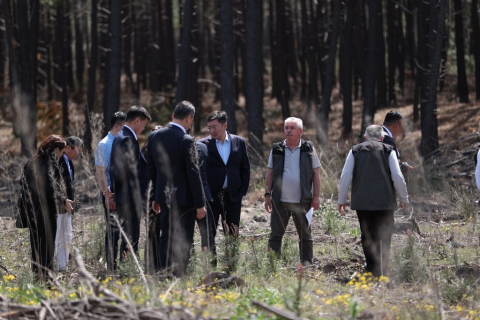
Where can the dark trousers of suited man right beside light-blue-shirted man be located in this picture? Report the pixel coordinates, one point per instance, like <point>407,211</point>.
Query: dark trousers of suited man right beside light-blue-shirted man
<point>130,222</point>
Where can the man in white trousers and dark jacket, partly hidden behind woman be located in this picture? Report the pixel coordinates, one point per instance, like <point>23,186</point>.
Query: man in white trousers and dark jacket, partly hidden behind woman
<point>63,238</point>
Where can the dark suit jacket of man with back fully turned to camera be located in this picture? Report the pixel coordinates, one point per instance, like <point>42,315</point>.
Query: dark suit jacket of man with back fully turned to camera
<point>173,167</point>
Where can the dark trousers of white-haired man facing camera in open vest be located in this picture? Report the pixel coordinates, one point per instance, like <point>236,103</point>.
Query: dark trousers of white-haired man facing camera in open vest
<point>280,216</point>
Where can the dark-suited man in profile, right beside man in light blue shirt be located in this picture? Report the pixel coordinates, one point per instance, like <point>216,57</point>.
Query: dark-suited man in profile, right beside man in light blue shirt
<point>129,176</point>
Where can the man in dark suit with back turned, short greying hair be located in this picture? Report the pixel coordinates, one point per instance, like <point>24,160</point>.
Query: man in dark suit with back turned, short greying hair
<point>178,191</point>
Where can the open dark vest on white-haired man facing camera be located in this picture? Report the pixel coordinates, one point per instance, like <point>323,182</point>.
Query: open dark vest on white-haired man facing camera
<point>306,171</point>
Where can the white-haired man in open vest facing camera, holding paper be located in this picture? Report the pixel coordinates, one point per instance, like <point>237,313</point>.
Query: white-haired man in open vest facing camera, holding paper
<point>293,168</point>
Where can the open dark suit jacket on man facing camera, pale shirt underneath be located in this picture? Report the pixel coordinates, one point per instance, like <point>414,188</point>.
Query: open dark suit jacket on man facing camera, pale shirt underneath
<point>237,168</point>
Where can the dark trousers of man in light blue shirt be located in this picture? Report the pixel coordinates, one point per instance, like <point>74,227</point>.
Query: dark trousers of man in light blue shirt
<point>112,235</point>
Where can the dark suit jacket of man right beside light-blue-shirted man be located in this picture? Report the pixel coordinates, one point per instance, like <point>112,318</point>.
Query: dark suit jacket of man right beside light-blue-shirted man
<point>128,169</point>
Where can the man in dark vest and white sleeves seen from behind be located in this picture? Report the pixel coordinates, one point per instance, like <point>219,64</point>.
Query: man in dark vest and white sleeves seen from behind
<point>373,169</point>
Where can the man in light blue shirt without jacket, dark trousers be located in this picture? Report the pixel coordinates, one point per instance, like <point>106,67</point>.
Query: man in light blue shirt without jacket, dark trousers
<point>102,166</point>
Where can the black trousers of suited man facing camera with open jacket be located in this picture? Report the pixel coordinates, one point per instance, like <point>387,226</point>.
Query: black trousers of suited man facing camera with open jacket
<point>223,207</point>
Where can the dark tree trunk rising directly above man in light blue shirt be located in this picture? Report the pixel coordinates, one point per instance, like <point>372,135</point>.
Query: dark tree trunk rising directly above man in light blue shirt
<point>112,86</point>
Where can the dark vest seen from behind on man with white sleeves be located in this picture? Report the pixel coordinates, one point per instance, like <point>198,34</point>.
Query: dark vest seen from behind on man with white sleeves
<point>372,185</point>
